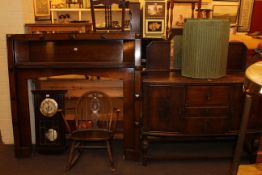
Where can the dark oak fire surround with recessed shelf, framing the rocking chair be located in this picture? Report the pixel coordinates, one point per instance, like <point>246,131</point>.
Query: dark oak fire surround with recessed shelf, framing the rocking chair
<point>31,56</point>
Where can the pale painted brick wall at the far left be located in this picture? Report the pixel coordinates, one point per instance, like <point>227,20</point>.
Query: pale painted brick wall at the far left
<point>13,15</point>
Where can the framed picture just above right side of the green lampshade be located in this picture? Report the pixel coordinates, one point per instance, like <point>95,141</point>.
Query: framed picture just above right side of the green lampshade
<point>229,12</point>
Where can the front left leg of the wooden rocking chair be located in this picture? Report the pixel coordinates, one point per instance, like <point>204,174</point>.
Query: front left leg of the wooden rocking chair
<point>74,155</point>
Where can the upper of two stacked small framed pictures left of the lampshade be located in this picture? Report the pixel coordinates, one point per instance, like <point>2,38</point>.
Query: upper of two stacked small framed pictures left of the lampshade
<point>154,9</point>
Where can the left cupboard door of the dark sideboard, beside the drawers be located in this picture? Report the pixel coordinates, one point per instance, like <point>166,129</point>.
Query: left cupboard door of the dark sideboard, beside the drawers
<point>162,107</point>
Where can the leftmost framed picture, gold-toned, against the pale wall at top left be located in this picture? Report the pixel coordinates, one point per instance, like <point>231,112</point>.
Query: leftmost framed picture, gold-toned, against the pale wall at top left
<point>42,8</point>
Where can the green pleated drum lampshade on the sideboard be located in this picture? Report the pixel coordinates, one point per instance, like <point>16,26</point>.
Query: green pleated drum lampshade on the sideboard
<point>205,47</point>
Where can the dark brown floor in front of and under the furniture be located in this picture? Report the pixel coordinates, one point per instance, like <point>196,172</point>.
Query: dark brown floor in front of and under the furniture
<point>94,162</point>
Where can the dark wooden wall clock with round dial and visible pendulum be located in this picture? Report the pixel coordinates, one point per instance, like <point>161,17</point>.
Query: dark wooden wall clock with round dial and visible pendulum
<point>49,126</point>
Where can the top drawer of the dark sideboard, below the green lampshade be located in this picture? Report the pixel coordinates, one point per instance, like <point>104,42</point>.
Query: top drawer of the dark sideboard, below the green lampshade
<point>207,95</point>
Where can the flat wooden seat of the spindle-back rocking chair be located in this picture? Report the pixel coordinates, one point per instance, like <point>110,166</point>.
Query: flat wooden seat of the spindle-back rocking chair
<point>90,135</point>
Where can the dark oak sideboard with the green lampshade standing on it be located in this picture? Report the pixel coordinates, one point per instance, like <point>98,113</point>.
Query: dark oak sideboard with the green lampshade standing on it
<point>176,106</point>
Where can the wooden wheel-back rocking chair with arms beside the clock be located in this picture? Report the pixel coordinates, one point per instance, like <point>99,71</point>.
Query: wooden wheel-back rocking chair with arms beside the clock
<point>95,123</point>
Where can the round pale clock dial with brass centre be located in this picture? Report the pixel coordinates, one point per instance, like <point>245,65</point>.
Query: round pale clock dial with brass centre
<point>48,107</point>
